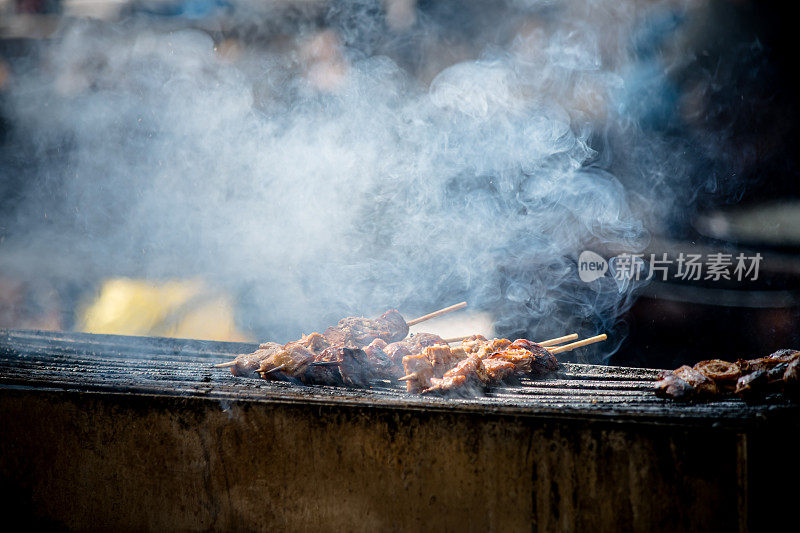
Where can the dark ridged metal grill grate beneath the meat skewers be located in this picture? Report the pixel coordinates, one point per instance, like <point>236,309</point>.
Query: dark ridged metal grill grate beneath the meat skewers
<point>144,365</point>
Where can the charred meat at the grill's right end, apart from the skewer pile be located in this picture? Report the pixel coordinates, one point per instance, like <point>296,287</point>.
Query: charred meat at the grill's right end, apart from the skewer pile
<point>778,372</point>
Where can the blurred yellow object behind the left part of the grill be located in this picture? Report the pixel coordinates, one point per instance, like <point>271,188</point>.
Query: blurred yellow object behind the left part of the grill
<point>181,308</point>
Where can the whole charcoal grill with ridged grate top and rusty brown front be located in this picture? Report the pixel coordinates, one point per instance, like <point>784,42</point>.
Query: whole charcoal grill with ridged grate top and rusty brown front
<point>109,432</point>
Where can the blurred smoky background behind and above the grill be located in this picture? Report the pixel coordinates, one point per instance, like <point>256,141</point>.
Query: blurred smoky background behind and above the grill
<point>241,170</point>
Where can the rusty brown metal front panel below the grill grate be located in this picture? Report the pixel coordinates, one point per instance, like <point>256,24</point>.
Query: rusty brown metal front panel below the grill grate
<point>133,462</point>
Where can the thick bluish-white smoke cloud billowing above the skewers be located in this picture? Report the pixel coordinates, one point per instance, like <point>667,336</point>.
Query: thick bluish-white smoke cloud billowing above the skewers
<point>346,167</point>
